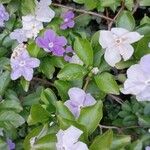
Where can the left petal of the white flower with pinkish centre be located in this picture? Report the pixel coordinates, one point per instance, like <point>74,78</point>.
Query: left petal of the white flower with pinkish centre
<point>106,38</point>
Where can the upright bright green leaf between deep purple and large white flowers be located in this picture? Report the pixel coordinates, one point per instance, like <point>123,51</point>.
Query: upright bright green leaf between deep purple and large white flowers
<point>84,50</point>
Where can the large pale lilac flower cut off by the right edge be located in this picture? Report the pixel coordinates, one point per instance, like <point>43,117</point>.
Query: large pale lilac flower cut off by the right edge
<point>138,80</point>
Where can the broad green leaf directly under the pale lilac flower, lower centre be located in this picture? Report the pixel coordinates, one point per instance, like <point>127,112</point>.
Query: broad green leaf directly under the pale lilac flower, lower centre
<point>91,116</point>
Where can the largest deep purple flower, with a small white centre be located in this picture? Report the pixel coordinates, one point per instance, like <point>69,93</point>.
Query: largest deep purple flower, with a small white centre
<point>52,43</point>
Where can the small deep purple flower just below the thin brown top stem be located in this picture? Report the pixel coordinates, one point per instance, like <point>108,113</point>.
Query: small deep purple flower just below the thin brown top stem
<point>68,20</point>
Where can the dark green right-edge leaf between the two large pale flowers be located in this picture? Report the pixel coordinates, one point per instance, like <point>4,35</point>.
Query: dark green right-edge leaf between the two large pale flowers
<point>142,47</point>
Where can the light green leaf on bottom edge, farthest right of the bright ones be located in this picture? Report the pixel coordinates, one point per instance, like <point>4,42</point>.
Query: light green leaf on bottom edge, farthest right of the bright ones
<point>120,141</point>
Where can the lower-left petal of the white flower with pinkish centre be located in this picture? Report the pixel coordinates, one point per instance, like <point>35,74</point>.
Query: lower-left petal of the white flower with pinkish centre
<point>112,56</point>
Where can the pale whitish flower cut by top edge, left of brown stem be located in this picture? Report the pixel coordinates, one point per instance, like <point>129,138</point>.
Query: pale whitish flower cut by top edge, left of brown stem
<point>43,12</point>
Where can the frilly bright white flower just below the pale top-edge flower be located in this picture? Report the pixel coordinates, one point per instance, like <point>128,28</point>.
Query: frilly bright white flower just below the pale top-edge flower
<point>31,26</point>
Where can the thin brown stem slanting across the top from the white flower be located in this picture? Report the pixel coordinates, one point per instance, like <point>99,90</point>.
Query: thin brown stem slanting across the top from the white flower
<point>82,11</point>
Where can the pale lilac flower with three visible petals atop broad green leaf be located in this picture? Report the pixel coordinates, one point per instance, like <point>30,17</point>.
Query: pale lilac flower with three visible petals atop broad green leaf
<point>78,99</point>
